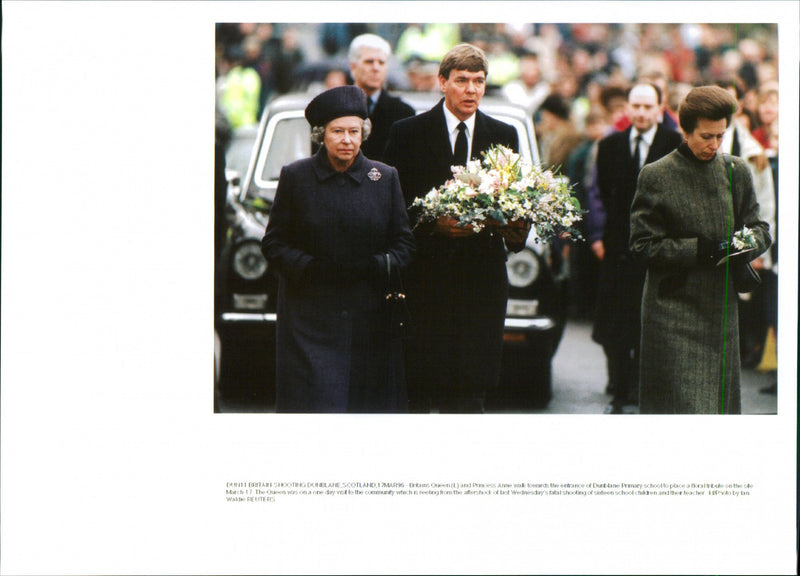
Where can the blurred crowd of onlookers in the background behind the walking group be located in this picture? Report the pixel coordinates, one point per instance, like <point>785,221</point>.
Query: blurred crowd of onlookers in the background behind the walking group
<point>572,78</point>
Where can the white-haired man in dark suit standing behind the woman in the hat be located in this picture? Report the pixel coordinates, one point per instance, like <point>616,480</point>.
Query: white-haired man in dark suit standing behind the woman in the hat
<point>369,60</point>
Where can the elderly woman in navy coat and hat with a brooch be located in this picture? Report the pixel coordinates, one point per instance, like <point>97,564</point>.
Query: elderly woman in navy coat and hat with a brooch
<point>335,218</point>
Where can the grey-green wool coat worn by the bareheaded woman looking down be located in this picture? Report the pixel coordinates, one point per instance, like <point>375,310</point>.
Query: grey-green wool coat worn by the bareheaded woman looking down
<point>690,332</point>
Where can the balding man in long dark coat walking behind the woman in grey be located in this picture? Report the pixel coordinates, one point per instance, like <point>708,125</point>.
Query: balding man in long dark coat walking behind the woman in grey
<point>620,156</point>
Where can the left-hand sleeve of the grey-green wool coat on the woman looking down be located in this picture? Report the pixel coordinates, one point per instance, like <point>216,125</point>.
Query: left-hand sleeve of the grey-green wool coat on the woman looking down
<point>650,241</point>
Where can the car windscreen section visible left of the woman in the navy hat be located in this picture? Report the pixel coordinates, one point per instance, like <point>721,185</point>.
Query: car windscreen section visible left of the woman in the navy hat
<point>288,138</point>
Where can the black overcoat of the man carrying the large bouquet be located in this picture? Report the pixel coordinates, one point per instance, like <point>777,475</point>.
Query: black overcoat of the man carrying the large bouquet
<point>457,288</point>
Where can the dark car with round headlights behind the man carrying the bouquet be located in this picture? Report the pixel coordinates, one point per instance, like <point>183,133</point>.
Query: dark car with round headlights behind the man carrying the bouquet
<point>247,288</point>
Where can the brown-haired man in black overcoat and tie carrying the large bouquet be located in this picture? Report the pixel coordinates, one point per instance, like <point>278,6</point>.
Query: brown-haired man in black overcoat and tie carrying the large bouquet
<point>457,286</point>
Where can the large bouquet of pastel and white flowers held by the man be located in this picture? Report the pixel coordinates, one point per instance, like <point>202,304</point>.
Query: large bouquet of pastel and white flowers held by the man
<point>502,190</point>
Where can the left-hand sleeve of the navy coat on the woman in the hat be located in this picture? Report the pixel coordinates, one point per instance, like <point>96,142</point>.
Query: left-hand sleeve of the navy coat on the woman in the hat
<point>276,245</point>
